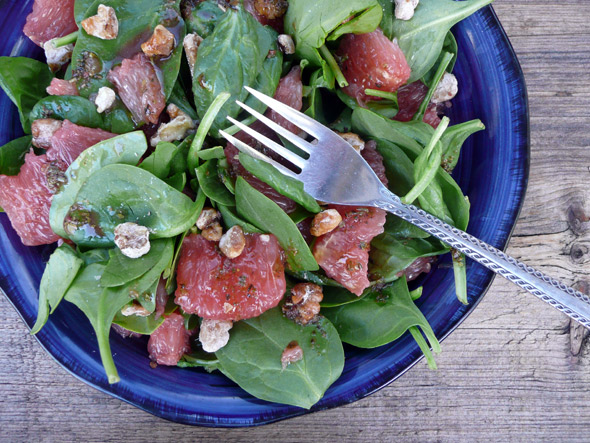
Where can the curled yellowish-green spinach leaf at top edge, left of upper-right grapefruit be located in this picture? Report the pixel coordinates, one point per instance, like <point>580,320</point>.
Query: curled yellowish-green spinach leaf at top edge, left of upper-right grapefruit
<point>311,23</point>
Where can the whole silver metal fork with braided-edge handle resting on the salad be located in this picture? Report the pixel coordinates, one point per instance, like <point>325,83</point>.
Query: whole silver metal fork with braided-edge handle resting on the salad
<point>335,173</point>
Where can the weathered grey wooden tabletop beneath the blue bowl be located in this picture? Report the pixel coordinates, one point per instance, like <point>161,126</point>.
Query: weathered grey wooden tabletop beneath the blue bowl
<point>515,370</point>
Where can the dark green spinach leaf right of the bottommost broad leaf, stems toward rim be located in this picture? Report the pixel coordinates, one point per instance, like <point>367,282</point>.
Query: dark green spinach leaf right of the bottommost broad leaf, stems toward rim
<point>380,318</point>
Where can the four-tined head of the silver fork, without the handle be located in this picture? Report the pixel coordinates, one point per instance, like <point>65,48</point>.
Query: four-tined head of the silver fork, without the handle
<point>334,172</point>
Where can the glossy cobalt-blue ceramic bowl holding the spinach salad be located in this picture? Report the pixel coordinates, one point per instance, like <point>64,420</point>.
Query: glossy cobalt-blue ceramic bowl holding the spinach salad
<point>493,172</point>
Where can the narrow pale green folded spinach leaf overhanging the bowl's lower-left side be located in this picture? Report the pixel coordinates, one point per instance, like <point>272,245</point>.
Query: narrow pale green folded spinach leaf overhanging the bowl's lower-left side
<point>60,272</point>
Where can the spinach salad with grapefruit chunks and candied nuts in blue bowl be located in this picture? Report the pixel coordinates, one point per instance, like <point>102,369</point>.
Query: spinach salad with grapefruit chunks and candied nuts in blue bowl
<point>163,229</point>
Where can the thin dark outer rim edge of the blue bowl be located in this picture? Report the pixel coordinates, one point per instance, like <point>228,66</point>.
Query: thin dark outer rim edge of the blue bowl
<point>384,379</point>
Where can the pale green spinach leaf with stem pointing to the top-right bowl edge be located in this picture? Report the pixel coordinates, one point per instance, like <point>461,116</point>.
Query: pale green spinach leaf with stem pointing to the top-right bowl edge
<point>422,38</point>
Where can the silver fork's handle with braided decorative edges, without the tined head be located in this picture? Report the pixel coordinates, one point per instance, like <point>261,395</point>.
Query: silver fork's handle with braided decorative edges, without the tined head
<point>562,297</point>
